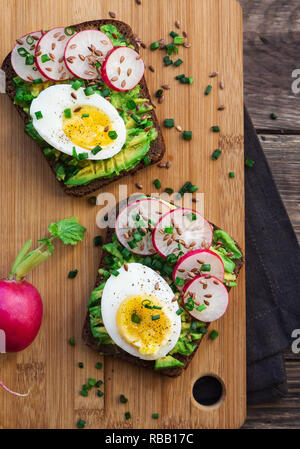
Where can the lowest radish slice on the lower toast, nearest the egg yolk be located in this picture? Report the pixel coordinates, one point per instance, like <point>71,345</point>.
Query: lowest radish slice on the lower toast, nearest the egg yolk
<point>210,294</point>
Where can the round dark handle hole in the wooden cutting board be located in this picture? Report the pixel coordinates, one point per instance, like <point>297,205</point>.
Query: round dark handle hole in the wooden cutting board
<point>209,391</point>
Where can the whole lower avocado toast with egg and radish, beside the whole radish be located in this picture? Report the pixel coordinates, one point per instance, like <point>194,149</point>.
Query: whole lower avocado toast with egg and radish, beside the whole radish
<point>135,266</point>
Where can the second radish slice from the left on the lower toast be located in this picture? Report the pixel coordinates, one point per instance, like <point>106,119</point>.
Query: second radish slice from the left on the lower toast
<point>181,231</point>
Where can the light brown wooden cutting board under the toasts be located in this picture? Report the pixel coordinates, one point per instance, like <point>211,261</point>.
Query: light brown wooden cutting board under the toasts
<point>31,199</point>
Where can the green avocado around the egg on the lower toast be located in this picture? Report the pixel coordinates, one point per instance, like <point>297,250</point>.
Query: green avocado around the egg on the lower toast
<point>191,330</point>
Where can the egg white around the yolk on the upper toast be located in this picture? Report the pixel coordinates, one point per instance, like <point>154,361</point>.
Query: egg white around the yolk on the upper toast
<point>52,102</point>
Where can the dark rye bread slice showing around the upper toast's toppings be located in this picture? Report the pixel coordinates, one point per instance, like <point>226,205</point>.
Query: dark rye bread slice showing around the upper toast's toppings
<point>157,147</point>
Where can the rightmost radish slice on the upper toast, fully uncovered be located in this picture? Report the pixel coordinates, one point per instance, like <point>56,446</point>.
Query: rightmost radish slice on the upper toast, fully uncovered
<point>122,69</point>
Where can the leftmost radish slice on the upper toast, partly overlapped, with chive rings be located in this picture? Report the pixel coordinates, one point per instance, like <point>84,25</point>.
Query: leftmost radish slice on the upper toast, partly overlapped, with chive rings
<point>22,57</point>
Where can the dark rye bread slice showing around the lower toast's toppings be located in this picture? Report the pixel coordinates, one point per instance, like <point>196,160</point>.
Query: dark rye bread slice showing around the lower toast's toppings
<point>115,350</point>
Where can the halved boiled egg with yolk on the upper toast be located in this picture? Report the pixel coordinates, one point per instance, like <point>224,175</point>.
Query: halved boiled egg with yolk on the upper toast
<point>75,123</point>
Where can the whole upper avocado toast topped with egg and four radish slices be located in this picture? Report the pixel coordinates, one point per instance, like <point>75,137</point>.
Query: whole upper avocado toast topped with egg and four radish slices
<point>82,95</point>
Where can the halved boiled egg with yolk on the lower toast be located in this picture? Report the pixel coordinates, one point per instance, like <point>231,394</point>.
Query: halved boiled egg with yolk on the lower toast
<point>139,314</point>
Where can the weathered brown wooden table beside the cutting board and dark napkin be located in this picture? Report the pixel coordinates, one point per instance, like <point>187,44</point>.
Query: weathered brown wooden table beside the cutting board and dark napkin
<point>271,52</point>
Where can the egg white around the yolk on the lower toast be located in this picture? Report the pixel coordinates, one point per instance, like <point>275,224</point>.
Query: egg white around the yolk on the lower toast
<point>138,280</point>
